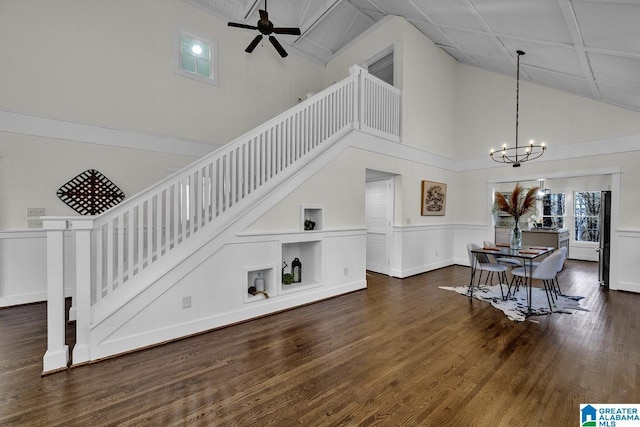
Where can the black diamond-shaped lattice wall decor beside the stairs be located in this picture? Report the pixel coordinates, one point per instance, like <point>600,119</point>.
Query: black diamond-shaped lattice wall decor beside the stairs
<point>90,193</point>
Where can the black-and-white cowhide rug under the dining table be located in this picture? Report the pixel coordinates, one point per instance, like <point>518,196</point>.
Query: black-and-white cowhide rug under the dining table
<point>515,308</point>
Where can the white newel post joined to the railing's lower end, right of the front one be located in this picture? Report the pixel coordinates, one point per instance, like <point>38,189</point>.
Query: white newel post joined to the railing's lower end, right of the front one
<point>82,229</point>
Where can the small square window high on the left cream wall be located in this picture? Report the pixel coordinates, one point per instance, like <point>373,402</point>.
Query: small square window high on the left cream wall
<point>197,58</point>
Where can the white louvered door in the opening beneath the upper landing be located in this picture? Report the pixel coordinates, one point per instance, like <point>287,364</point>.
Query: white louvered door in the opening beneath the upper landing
<point>379,216</point>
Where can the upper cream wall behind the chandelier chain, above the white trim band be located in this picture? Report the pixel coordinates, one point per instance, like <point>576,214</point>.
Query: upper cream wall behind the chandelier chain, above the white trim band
<point>485,115</point>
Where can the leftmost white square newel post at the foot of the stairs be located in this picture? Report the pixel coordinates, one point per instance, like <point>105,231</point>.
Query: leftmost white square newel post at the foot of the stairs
<point>57,354</point>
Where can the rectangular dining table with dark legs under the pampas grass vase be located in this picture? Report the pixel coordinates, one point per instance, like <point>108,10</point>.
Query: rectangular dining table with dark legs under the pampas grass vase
<point>527,254</point>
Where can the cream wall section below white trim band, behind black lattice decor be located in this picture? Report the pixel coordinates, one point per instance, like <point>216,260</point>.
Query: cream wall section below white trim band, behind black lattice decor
<point>32,169</point>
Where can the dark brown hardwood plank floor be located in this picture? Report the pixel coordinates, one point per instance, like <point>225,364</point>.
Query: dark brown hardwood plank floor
<point>401,353</point>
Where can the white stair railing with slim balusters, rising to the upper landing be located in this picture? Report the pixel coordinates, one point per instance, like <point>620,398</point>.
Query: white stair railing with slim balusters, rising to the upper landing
<point>134,235</point>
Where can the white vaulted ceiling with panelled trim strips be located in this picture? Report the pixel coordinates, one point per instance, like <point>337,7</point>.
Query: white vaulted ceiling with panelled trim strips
<point>585,47</point>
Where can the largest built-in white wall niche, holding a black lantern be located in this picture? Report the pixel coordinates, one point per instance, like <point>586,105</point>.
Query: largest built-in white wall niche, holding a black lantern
<point>310,255</point>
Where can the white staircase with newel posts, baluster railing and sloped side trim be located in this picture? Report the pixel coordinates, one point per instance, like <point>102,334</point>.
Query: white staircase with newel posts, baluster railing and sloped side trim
<point>141,246</point>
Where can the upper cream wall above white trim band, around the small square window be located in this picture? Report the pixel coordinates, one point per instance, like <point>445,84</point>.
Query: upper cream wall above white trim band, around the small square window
<point>111,63</point>
